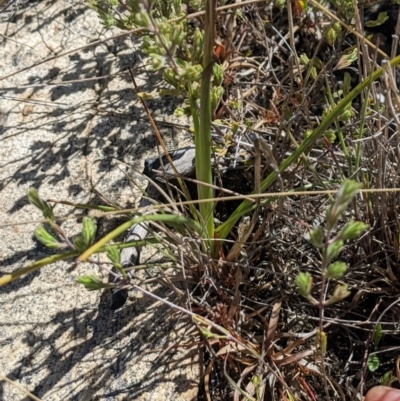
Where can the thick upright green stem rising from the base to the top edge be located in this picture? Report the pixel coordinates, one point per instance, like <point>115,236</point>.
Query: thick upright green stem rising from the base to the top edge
<point>203,136</point>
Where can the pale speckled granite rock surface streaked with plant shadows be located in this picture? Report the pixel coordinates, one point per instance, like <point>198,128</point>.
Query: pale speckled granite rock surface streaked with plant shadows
<point>59,341</point>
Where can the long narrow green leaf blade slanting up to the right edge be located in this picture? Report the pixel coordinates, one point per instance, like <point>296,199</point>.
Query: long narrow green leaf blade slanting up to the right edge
<point>224,229</point>
